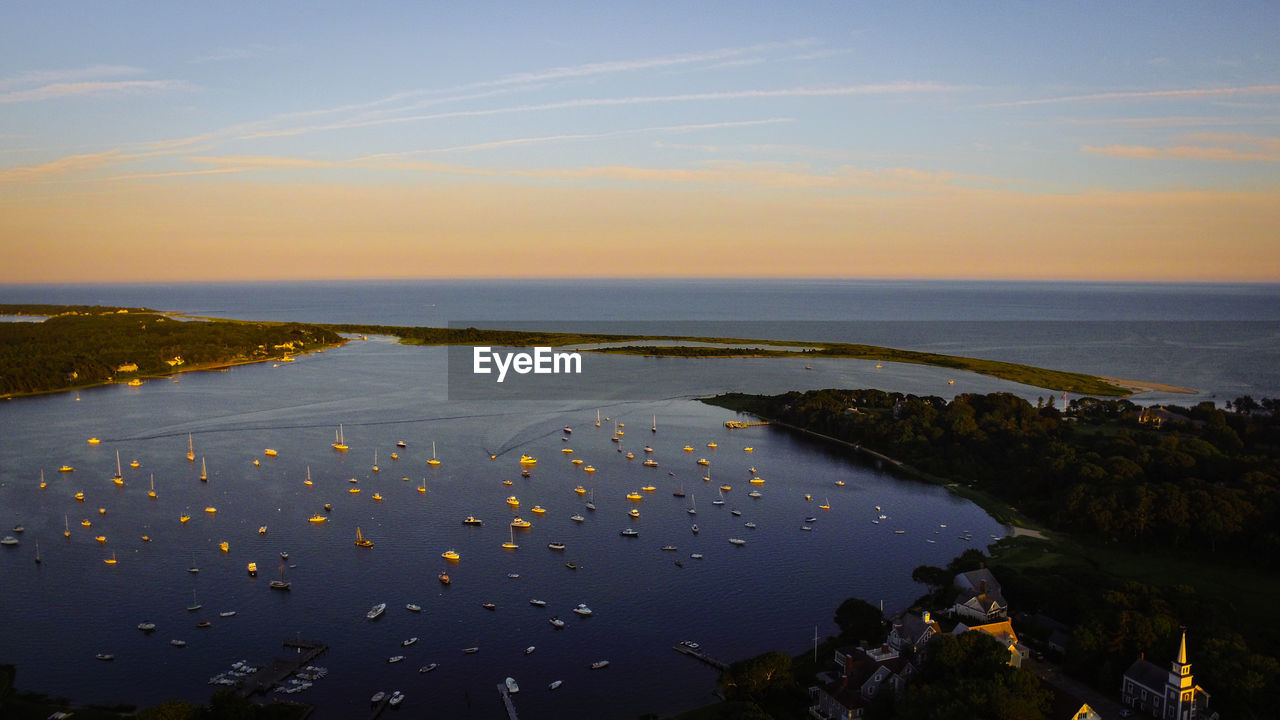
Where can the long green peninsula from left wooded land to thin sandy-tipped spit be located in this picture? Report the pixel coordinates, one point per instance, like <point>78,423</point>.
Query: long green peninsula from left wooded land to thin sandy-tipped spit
<point>84,347</point>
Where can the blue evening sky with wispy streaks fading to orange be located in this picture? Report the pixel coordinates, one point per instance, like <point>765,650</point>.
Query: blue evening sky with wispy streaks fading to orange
<point>258,142</point>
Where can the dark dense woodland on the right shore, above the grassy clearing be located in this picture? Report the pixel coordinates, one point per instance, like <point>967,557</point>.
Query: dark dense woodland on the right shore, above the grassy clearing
<point>1205,480</point>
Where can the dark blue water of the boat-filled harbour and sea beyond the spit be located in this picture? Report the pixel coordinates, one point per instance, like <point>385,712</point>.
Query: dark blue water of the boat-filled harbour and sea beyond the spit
<point>775,593</point>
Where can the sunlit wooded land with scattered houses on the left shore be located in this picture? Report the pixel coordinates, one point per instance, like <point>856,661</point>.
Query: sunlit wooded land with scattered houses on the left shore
<point>77,350</point>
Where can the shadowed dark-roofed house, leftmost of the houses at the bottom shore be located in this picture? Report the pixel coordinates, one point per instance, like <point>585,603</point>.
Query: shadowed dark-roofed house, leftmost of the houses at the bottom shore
<point>865,677</point>
